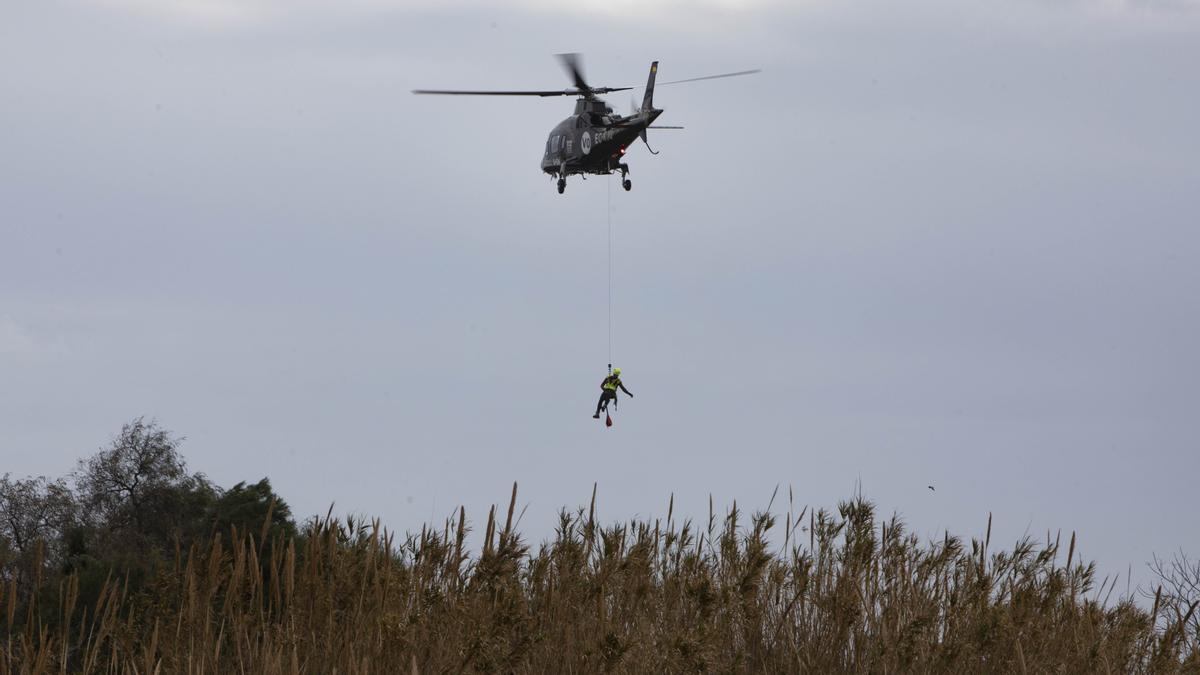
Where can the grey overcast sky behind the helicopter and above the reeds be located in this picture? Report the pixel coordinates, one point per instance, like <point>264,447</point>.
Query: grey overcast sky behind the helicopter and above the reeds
<point>934,243</point>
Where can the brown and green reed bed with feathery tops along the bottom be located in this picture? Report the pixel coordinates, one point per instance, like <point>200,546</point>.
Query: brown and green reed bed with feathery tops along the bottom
<point>838,592</point>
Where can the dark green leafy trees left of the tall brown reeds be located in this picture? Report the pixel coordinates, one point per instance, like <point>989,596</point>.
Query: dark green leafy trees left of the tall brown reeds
<point>125,515</point>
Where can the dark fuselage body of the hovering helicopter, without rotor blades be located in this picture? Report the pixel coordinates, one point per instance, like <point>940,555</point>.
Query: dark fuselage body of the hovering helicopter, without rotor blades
<point>593,140</point>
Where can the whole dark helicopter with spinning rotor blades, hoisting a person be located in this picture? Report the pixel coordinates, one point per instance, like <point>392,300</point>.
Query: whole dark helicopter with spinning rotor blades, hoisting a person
<point>595,140</point>
